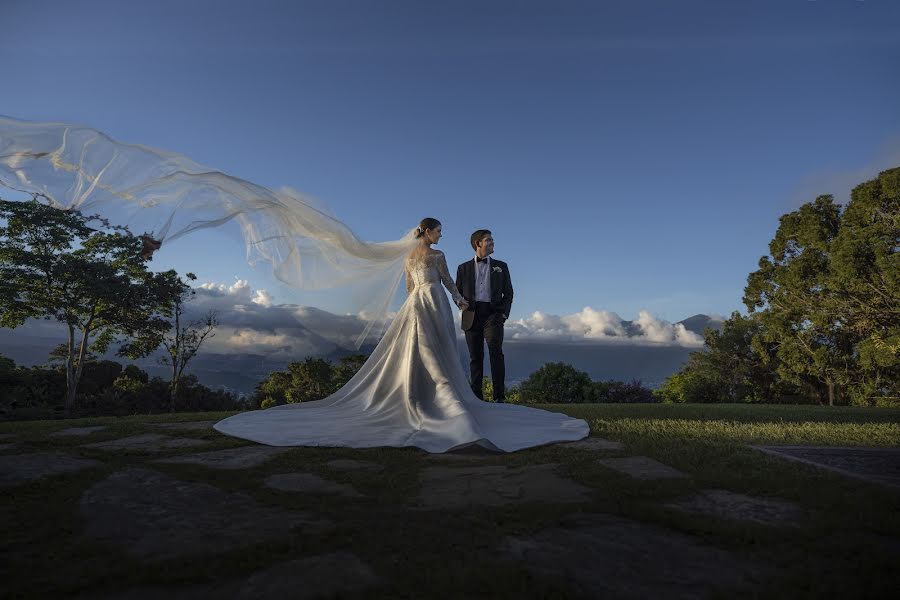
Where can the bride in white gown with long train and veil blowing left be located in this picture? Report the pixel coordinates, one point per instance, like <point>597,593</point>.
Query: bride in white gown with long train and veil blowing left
<point>412,390</point>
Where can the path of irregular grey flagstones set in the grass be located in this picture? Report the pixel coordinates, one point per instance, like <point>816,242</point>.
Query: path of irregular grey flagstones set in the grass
<point>153,515</point>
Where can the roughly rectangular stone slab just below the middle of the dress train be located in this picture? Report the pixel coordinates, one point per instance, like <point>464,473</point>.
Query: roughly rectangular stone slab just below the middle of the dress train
<point>458,487</point>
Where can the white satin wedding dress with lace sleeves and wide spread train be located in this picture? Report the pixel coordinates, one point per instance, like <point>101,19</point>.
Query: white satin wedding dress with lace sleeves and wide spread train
<point>412,391</point>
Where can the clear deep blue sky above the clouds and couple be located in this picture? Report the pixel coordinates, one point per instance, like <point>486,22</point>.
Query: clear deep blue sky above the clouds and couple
<point>627,155</point>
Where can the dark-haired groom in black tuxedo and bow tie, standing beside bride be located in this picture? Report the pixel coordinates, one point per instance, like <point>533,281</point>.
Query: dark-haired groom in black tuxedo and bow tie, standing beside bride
<point>485,284</point>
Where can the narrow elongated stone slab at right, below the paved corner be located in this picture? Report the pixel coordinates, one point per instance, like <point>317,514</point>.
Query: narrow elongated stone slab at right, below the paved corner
<point>731,505</point>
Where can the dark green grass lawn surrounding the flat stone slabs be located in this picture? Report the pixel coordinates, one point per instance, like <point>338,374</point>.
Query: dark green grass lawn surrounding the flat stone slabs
<point>845,547</point>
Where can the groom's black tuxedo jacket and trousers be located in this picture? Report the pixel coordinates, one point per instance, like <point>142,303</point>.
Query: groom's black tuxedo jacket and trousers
<point>483,322</point>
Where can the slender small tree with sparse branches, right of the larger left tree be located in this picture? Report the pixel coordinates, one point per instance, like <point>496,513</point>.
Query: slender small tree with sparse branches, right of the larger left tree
<point>184,340</point>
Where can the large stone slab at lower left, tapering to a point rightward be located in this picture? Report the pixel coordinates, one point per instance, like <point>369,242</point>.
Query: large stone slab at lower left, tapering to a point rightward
<point>153,516</point>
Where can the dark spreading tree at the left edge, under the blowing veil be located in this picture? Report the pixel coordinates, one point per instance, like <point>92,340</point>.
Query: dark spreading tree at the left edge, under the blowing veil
<point>55,265</point>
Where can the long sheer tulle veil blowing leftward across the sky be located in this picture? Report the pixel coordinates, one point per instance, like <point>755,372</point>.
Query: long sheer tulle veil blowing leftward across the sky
<point>169,196</point>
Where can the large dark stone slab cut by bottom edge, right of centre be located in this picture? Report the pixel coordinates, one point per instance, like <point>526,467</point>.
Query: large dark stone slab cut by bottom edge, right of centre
<point>606,556</point>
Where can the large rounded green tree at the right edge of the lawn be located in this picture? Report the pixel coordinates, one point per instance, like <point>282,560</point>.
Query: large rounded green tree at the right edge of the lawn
<point>827,297</point>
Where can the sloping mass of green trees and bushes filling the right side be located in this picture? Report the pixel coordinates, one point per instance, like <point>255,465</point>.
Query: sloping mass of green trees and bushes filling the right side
<point>824,322</point>
